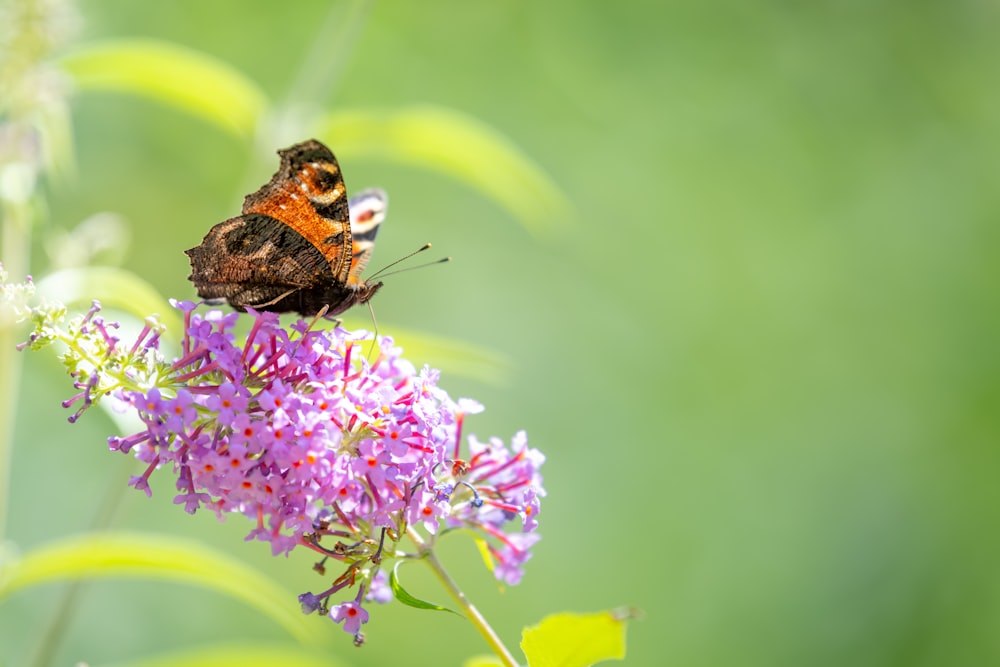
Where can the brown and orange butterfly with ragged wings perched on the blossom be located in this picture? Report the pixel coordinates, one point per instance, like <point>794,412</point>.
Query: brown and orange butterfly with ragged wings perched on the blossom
<point>300,244</point>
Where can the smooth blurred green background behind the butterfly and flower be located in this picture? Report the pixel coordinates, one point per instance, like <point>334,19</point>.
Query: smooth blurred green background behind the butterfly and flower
<point>760,353</point>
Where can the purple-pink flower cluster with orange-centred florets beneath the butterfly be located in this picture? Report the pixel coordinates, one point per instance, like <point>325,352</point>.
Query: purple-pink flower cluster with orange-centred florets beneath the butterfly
<point>304,435</point>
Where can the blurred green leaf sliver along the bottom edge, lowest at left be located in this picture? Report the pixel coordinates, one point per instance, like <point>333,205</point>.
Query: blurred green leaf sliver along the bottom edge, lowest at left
<point>237,655</point>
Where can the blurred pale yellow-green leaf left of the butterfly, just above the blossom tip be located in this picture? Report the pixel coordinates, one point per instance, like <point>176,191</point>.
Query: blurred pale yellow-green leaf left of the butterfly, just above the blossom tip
<point>114,288</point>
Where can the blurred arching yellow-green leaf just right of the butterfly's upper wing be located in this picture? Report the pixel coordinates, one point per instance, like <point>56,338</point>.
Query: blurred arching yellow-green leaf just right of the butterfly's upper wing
<point>460,146</point>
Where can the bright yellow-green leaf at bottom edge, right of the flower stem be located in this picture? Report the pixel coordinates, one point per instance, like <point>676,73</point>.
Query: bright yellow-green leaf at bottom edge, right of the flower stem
<point>575,640</point>
